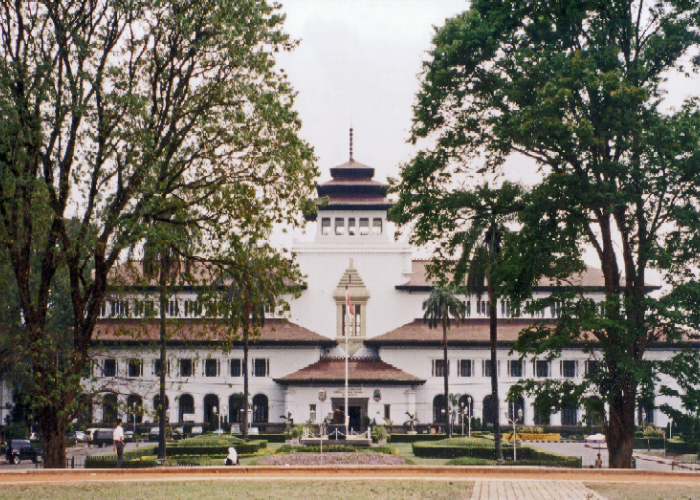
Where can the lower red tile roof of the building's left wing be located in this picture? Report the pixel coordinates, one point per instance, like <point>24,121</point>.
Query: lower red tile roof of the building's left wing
<point>274,332</point>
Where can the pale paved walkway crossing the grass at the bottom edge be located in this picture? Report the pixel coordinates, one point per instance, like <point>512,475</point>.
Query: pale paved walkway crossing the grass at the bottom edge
<point>532,490</point>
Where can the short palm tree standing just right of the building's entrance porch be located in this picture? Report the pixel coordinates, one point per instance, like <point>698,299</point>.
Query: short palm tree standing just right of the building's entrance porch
<point>439,306</point>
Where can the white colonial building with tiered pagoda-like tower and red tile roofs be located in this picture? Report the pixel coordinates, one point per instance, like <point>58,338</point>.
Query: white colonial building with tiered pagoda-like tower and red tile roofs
<point>396,361</point>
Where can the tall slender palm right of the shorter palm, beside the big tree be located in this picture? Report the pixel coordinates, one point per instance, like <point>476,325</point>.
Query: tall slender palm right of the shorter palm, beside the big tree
<point>477,267</point>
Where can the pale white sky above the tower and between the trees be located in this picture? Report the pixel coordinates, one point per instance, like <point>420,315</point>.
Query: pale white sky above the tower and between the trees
<point>358,65</point>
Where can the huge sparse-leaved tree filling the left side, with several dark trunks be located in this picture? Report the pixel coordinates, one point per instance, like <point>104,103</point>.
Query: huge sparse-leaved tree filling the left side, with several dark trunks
<point>111,110</point>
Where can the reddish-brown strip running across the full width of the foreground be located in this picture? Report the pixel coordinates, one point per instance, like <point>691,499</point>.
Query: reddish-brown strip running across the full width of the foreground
<point>416,472</point>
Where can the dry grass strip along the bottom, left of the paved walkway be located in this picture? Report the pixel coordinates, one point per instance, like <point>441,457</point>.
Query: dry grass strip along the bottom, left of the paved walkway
<point>247,490</point>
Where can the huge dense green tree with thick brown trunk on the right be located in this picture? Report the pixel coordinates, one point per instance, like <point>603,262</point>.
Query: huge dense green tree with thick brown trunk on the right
<point>577,87</point>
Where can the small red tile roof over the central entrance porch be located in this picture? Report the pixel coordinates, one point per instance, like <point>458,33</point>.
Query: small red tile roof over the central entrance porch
<point>359,371</point>
